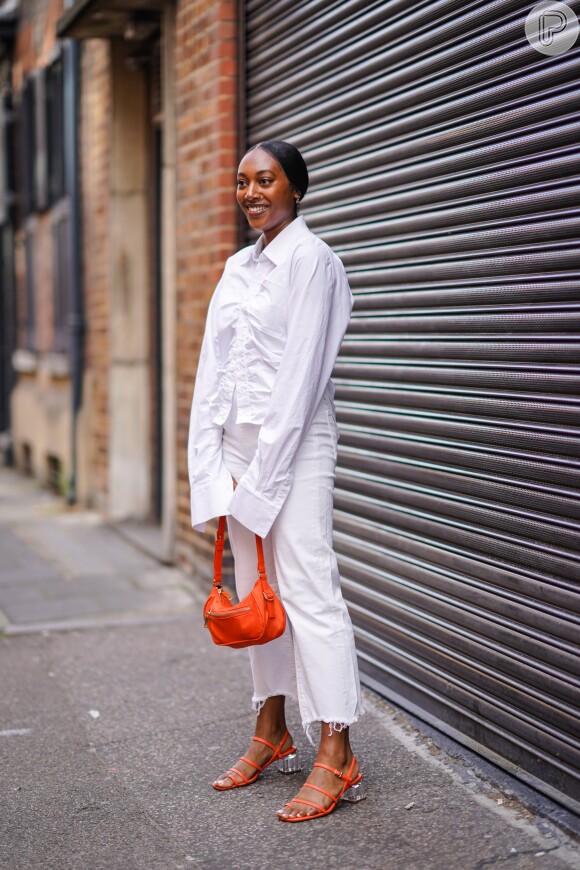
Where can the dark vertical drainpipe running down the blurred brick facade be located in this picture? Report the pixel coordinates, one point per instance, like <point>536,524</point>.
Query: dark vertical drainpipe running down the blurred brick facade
<point>76,313</point>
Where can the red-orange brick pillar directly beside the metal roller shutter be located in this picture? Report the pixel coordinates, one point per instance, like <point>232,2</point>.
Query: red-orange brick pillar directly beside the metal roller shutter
<point>207,222</point>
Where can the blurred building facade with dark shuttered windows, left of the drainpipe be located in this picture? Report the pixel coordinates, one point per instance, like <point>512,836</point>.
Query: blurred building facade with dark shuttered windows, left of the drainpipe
<point>37,276</point>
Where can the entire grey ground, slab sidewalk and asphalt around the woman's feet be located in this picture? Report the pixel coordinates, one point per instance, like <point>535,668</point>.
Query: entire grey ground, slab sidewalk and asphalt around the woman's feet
<point>117,712</point>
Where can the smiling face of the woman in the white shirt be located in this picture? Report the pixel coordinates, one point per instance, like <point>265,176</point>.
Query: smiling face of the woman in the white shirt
<point>264,194</point>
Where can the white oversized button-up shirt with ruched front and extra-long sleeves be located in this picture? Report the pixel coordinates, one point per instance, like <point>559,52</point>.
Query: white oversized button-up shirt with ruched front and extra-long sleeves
<point>274,327</point>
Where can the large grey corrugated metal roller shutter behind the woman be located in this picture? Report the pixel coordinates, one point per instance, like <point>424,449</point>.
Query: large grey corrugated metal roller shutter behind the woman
<point>444,172</point>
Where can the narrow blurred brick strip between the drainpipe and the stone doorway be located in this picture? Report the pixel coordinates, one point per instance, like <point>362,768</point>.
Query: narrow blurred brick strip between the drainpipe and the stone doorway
<point>95,155</point>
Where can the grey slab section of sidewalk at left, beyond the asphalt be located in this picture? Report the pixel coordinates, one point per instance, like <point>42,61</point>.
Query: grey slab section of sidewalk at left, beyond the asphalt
<point>65,566</point>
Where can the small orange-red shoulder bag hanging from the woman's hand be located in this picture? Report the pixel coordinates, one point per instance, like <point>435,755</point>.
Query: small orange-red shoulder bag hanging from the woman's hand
<point>257,619</point>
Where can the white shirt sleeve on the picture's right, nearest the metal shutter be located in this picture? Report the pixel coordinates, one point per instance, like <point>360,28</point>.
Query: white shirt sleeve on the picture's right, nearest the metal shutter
<point>320,302</point>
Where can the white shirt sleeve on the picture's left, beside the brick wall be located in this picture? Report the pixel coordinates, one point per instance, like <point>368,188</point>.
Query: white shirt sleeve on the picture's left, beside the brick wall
<point>210,482</point>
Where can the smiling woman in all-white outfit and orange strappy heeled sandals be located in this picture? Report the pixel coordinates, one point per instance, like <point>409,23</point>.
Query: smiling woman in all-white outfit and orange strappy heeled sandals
<point>262,450</point>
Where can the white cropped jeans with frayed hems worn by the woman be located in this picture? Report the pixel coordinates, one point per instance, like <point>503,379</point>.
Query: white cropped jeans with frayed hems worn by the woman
<point>314,661</point>
